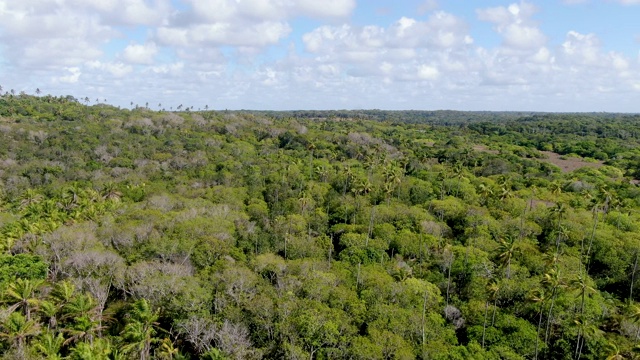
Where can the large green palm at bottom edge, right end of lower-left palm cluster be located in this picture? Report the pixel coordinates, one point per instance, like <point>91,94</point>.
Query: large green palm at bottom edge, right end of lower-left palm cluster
<point>140,329</point>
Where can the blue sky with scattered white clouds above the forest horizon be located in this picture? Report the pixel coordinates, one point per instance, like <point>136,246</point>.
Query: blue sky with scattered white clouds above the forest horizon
<point>560,56</point>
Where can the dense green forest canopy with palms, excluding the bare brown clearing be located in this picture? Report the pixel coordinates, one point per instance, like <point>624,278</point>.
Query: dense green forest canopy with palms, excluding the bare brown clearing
<point>139,234</point>
